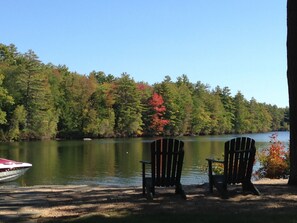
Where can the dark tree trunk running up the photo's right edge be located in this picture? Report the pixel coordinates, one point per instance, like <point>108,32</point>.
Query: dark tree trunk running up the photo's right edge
<point>292,85</point>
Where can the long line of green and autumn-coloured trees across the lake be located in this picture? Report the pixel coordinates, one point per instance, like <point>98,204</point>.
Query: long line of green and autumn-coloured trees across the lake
<point>44,101</point>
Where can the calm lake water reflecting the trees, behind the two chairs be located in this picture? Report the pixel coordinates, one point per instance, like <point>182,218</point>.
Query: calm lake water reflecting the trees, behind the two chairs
<point>113,161</point>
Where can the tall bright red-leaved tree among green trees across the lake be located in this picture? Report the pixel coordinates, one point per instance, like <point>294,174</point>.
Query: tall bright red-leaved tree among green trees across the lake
<point>158,109</point>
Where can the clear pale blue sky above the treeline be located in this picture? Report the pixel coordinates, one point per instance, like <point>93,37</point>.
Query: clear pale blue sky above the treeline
<point>235,43</point>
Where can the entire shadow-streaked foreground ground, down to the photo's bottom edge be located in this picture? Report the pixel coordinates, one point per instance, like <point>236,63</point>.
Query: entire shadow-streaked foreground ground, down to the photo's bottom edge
<point>278,203</point>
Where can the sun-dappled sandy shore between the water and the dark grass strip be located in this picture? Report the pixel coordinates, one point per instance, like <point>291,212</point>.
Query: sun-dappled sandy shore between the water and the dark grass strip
<point>40,203</point>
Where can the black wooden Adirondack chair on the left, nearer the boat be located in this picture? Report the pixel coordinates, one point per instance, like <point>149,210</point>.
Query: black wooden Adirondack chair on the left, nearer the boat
<point>166,167</point>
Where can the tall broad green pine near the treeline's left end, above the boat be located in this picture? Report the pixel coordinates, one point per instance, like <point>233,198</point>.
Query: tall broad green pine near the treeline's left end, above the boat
<point>32,90</point>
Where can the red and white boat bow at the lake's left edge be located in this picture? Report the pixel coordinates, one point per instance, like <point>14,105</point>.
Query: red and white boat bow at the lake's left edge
<point>11,170</point>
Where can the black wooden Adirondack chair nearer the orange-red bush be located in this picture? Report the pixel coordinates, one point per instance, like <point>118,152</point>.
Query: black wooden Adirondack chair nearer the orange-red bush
<point>238,164</point>
